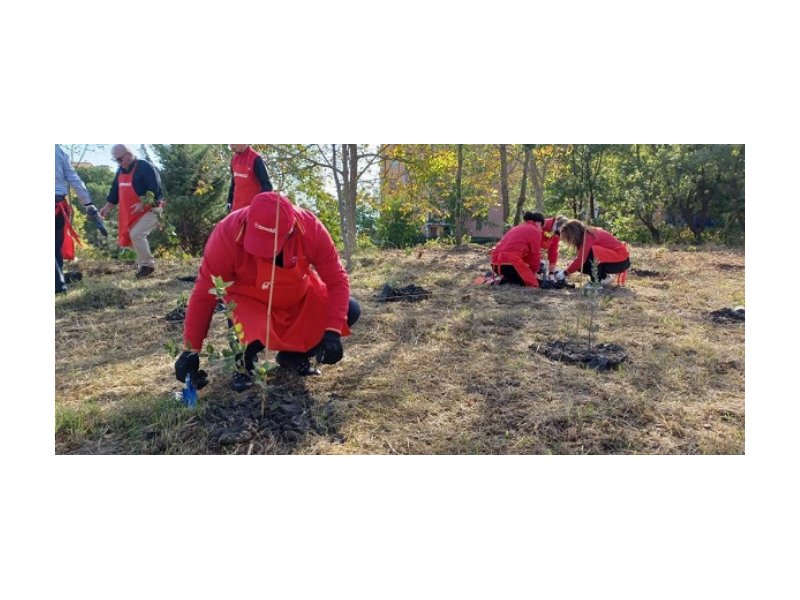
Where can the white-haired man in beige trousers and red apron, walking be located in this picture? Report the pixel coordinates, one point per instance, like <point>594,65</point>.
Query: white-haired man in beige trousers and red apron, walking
<point>138,213</point>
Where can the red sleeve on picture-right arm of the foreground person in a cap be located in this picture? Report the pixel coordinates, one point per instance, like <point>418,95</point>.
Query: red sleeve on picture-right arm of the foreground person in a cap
<point>321,251</point>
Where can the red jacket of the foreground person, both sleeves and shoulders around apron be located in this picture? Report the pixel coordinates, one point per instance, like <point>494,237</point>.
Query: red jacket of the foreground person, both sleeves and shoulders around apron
<point>224,256</point>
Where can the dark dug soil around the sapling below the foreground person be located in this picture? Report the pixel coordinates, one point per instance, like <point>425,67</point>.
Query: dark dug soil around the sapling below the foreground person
<point>291,414</point>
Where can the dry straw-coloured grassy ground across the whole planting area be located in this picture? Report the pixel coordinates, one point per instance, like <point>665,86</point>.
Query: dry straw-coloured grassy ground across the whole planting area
<point>455,373</point>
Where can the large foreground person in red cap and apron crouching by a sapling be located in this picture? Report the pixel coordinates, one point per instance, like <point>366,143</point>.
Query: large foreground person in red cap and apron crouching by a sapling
<point>272,247</point>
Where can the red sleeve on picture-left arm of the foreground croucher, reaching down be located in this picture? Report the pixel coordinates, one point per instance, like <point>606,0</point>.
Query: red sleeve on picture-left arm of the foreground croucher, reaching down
<point>218,259</point>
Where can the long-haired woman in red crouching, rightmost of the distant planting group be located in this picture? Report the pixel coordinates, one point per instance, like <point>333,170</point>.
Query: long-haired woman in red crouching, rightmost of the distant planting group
<point>594,244</point>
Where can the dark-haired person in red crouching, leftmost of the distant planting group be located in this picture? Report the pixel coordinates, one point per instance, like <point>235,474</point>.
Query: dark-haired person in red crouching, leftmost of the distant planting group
<point>516,256</point>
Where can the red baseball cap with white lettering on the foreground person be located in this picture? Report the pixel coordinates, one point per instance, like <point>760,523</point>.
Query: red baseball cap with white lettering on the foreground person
<point>262,229</point>
